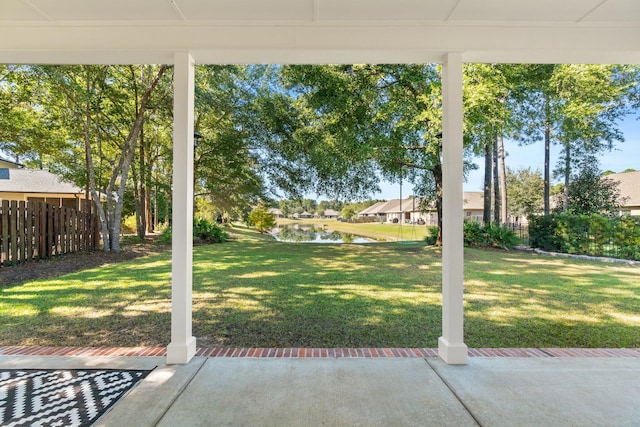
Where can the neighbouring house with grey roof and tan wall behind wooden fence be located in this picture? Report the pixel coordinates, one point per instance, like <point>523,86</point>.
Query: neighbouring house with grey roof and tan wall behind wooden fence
<point>38,185</point>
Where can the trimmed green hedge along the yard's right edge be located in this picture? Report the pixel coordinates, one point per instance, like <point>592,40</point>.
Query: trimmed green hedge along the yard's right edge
<point>595,235</point>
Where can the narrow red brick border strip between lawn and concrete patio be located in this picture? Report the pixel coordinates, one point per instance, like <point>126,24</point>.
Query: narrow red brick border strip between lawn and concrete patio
<point>316,352</point>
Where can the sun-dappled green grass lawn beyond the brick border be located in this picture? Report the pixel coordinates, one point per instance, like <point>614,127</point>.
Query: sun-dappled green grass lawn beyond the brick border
<point>255,292</point>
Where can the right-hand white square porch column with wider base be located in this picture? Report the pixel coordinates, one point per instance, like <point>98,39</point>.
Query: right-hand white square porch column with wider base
<point>451,346</point>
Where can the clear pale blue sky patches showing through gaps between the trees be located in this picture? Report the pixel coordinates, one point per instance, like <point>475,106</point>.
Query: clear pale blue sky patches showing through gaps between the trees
<point>624,156</point>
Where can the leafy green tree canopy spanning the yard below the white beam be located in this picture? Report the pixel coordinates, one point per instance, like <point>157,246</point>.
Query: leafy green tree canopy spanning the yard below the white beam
<point>273,131</point>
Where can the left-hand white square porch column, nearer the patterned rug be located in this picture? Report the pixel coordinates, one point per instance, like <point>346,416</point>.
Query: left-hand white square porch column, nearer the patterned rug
<point>183,345</point>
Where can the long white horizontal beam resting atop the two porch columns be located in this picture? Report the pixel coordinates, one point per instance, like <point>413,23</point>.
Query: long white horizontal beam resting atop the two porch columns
<point>318,43</point>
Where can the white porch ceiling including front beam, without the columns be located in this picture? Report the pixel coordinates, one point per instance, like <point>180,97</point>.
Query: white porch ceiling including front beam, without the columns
<point>313,31</point>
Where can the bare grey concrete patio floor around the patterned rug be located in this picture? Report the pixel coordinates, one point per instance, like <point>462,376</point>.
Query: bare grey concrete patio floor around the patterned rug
<point>361,391</point>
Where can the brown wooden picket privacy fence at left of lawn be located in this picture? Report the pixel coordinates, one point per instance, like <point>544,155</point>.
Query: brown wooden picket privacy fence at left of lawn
<point>37,230</point>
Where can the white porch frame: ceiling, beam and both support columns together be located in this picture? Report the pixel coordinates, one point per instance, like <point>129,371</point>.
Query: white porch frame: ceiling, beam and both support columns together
<point>189,32</point>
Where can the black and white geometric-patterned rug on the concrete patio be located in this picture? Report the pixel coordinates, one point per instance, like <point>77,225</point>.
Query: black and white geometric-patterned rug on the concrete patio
<point>37,397</point>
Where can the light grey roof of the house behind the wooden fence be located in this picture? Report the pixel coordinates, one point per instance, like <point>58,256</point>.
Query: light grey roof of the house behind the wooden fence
<point>35,181</point>
